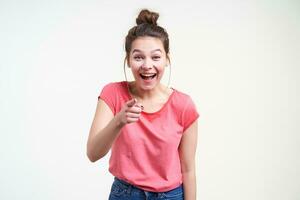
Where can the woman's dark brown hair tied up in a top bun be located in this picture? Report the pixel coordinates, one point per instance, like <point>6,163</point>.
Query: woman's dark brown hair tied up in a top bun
<point>147,26</point>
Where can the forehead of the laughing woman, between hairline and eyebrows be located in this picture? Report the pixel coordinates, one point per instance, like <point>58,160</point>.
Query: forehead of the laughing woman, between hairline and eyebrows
<point>147,44</point>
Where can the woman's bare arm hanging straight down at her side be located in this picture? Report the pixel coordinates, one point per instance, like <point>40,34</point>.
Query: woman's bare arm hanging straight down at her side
<point>187,152</point>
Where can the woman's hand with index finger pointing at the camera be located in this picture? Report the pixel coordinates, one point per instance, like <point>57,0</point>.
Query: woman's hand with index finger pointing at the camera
<point>130,112</point>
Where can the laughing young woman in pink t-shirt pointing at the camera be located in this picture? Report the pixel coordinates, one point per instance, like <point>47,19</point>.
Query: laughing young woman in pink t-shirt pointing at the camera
<point>150,128</point>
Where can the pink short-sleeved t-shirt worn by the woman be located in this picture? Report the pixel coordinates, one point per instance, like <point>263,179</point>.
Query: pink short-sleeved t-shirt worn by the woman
<point>145,153</point>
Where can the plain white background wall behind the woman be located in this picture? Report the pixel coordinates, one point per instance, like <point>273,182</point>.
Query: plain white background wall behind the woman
<point>238,60</point>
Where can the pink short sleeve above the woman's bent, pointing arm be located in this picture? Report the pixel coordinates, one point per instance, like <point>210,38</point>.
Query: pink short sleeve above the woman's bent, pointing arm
<point>108,95</point>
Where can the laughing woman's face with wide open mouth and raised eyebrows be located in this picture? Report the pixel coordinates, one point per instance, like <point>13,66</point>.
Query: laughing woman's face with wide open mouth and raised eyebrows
<point>147,60</point>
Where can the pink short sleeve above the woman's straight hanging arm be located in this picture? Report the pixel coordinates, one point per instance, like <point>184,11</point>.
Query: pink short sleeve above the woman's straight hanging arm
<point>189,114</point>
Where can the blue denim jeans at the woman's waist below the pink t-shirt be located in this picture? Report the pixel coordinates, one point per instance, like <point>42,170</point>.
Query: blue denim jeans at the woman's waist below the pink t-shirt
<point>122,190</point>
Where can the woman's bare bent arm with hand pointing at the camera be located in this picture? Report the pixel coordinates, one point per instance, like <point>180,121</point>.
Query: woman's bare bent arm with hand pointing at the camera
<point>106,127</point>
